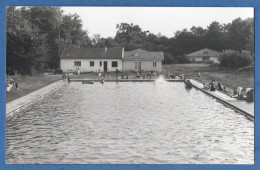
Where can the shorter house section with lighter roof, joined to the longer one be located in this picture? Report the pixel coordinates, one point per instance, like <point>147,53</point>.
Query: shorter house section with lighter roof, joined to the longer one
<point>140,59</point>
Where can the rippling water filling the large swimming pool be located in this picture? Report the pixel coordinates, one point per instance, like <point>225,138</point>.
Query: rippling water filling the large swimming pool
<point>129,123</point>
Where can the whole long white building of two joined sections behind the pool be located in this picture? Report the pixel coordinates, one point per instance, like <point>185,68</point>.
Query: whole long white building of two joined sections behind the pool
<point>110,59</point>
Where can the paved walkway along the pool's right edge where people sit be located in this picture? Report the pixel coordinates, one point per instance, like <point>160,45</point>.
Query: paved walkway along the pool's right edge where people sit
<point>246,107</point>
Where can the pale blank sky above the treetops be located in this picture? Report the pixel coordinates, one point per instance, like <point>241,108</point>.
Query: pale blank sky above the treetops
<point>163,20</point>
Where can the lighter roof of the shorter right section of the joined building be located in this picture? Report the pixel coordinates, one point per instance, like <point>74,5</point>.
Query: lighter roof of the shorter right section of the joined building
<point>143,55</point>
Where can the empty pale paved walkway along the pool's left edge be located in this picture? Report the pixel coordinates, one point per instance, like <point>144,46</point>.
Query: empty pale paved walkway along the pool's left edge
<point>27,99</point>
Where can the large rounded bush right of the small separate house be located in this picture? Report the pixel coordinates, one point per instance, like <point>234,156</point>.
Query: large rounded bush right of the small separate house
<point>235,59</point>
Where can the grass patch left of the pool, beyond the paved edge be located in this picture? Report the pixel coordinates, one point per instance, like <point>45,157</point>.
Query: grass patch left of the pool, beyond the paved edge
<point>28,84</point>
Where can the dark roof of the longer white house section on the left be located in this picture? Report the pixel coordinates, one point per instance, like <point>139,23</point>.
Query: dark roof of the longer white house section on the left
<point>92,53</point>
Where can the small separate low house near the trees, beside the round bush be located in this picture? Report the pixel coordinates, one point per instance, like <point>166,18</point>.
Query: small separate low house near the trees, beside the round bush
<point>204,55</point>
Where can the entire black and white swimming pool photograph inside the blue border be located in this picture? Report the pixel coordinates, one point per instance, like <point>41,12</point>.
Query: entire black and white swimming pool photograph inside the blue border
<point>129,85</point>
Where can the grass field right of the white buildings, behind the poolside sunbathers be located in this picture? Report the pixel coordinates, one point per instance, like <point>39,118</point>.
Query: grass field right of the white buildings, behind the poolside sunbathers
<point>230,78</point>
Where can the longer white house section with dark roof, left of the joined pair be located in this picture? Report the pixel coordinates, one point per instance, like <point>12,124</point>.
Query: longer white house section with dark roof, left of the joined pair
<point>92,59</point>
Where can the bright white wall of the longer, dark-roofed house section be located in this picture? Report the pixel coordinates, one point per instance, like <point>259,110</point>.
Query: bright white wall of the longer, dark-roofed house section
<point>68,65</point>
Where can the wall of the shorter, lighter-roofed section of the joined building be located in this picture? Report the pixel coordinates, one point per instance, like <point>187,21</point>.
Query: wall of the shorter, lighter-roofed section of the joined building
<point>145,65</point>
